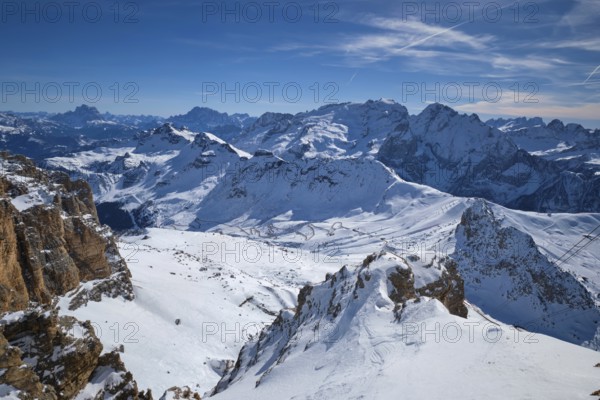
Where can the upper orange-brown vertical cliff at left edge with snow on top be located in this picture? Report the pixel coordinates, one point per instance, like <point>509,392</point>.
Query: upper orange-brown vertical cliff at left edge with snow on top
<point>51,239</point>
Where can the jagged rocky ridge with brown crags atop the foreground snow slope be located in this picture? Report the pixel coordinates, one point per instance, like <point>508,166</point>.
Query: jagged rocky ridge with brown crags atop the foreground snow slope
<point>335,310</point>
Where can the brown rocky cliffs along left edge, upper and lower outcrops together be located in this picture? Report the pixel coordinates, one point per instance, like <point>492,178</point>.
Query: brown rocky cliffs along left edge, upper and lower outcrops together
<point>51,242</point>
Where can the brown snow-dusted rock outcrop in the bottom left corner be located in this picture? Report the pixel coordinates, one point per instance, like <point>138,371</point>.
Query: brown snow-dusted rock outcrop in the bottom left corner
<point>43,356</point>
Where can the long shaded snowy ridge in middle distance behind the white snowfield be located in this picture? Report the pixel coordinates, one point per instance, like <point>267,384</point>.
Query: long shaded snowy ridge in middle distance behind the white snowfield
<point>179,177</point>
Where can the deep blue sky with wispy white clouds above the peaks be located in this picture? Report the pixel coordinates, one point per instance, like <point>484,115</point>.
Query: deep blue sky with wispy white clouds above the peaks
<point>495,58</point>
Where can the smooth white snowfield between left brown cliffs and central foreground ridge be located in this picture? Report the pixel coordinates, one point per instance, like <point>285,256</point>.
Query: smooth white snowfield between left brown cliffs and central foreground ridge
<point>221,289</point>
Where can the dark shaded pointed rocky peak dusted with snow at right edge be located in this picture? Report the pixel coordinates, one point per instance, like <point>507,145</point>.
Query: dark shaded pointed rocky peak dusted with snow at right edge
<point>507,277</point>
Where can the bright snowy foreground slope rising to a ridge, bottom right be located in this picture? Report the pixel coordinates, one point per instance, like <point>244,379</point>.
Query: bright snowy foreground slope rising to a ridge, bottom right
<point>367,351</point>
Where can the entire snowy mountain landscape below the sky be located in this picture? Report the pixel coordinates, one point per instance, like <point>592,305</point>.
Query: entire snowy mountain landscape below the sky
<point>353,250</point>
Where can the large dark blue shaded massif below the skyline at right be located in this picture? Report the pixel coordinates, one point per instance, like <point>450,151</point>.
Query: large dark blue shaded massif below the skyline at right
<point>461,155</point>
